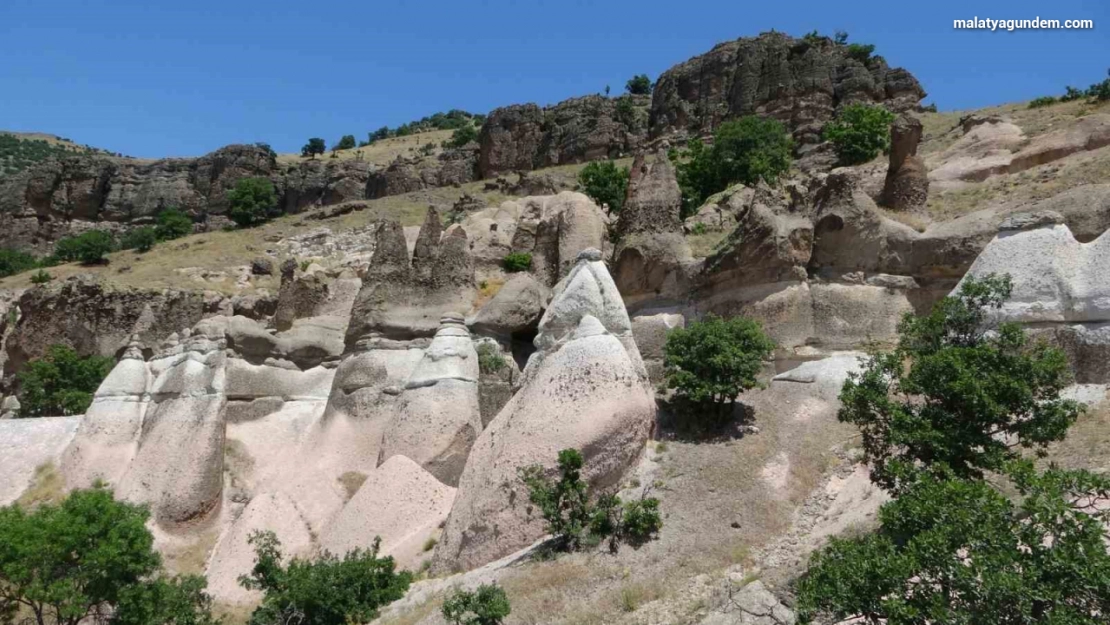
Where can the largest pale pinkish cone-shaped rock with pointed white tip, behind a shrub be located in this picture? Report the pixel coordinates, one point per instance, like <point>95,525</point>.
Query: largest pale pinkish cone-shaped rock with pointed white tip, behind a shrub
<point>586,389</point>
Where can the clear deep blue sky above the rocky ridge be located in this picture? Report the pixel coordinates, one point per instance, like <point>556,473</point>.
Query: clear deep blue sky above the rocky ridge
<point>157,78</point>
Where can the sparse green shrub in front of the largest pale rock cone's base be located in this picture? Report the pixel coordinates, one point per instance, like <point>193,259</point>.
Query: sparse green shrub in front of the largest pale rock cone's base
<point>574,522</point>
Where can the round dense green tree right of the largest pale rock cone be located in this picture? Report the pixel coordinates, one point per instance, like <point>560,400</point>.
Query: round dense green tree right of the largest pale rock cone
<point>713,361</point>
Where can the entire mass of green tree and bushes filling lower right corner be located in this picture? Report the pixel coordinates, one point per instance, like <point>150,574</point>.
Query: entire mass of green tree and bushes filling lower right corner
<point>944,418</point>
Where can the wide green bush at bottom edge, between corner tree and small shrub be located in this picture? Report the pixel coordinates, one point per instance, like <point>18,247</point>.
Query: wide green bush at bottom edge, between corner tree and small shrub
<point>328,591</point>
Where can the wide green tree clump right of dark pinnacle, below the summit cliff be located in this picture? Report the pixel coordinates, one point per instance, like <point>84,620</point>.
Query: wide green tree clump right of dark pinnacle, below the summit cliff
<point>745,150</point>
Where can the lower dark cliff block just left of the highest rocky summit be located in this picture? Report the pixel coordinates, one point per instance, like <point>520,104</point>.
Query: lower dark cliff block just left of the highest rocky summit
<point>526,137</point>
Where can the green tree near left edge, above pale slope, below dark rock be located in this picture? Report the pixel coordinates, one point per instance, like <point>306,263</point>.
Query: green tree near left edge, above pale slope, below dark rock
<point>60,384</point>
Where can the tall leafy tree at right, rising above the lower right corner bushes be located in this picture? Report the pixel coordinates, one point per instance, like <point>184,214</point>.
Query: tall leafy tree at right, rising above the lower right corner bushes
<point>971,397</point>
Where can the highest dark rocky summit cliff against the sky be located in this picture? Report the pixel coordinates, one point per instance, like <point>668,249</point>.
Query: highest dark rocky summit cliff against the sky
<point>802,83</point>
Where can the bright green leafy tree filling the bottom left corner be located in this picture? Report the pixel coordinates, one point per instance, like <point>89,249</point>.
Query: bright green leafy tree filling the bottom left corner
<point>87,558</point>
